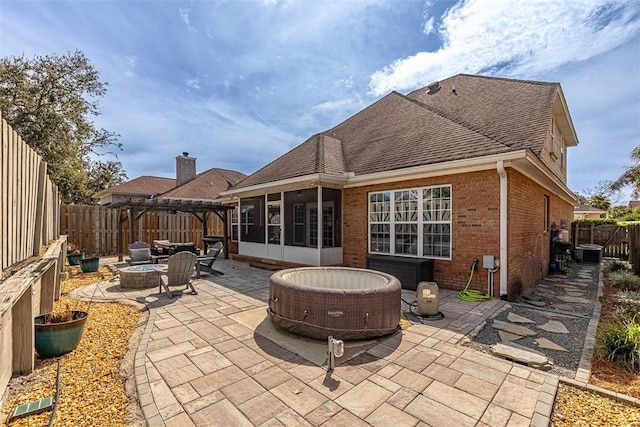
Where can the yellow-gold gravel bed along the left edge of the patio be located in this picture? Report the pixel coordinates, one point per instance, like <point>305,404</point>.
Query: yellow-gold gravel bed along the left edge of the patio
<point>93,386</point>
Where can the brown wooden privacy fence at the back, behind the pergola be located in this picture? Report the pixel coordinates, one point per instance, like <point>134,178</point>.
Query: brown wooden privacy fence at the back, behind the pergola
<point>94,229</point>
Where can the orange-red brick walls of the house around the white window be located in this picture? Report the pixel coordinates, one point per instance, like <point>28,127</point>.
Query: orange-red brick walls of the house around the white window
<point>475,228</point>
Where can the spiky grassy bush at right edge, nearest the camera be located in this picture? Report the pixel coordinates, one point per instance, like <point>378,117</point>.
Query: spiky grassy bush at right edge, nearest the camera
<point>620,343</point>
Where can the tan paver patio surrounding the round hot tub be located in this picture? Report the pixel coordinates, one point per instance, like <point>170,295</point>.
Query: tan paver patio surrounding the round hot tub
<point>197,366</point>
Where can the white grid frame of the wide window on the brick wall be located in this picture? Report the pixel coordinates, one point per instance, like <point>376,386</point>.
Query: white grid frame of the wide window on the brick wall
<point>420,222</point>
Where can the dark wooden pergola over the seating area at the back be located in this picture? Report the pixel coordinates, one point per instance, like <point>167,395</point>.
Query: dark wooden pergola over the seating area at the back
<point>133,208</point>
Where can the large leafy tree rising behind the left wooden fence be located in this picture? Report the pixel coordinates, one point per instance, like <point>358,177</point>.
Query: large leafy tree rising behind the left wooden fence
<point>49,101</point>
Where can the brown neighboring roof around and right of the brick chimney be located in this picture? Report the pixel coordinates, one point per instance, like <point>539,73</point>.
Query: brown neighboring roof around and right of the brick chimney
<point>206,185</point>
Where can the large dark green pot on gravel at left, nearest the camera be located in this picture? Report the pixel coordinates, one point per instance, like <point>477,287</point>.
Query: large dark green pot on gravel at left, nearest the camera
<point>56,339</point>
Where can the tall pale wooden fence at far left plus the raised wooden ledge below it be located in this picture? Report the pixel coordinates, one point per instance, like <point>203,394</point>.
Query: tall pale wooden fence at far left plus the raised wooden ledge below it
<point>29,230</point>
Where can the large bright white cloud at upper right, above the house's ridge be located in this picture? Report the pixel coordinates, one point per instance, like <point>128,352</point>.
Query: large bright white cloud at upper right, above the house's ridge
<point>527,40</point>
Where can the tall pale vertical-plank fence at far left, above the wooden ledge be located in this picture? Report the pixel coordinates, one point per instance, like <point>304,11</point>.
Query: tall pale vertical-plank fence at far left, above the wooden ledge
<point>29,201</point>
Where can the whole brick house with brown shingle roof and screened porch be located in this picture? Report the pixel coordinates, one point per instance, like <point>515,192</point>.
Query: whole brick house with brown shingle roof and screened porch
<point>467,167</point>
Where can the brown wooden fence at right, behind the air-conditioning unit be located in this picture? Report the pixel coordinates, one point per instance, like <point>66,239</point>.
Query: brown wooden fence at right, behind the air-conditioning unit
<point>613,238</point>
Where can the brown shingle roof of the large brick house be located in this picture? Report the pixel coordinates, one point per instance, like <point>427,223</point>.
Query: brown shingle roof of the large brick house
<point>484,116</point>
